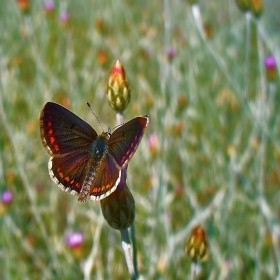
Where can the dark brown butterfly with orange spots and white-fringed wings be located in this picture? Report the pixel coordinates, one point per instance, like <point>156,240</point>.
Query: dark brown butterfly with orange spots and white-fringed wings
<point>82,162</point>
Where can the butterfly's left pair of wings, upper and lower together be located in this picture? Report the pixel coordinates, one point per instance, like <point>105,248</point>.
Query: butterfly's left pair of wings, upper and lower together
<point>67,139</point>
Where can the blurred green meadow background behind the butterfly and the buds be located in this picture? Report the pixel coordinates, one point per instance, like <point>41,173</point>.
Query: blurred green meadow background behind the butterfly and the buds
<point>206,74</point>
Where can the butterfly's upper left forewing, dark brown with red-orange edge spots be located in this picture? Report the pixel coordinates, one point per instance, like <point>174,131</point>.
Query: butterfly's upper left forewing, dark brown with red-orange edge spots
<point>63,132</point>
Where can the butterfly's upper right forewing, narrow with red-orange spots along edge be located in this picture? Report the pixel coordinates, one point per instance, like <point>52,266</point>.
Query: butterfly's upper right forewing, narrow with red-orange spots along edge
<point>125,139</point>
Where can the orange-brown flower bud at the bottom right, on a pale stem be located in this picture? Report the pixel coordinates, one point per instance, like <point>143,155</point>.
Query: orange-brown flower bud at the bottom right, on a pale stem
<point>197,245</point>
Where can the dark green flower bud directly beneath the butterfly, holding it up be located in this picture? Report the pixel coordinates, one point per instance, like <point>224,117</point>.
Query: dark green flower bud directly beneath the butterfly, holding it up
<point>119,208</point>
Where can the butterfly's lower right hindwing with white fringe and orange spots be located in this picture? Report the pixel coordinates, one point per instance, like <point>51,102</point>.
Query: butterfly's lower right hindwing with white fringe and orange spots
<point>106,180</point>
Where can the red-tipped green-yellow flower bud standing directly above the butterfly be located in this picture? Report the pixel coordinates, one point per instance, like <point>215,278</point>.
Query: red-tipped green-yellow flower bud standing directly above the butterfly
<point>118,91</point>
